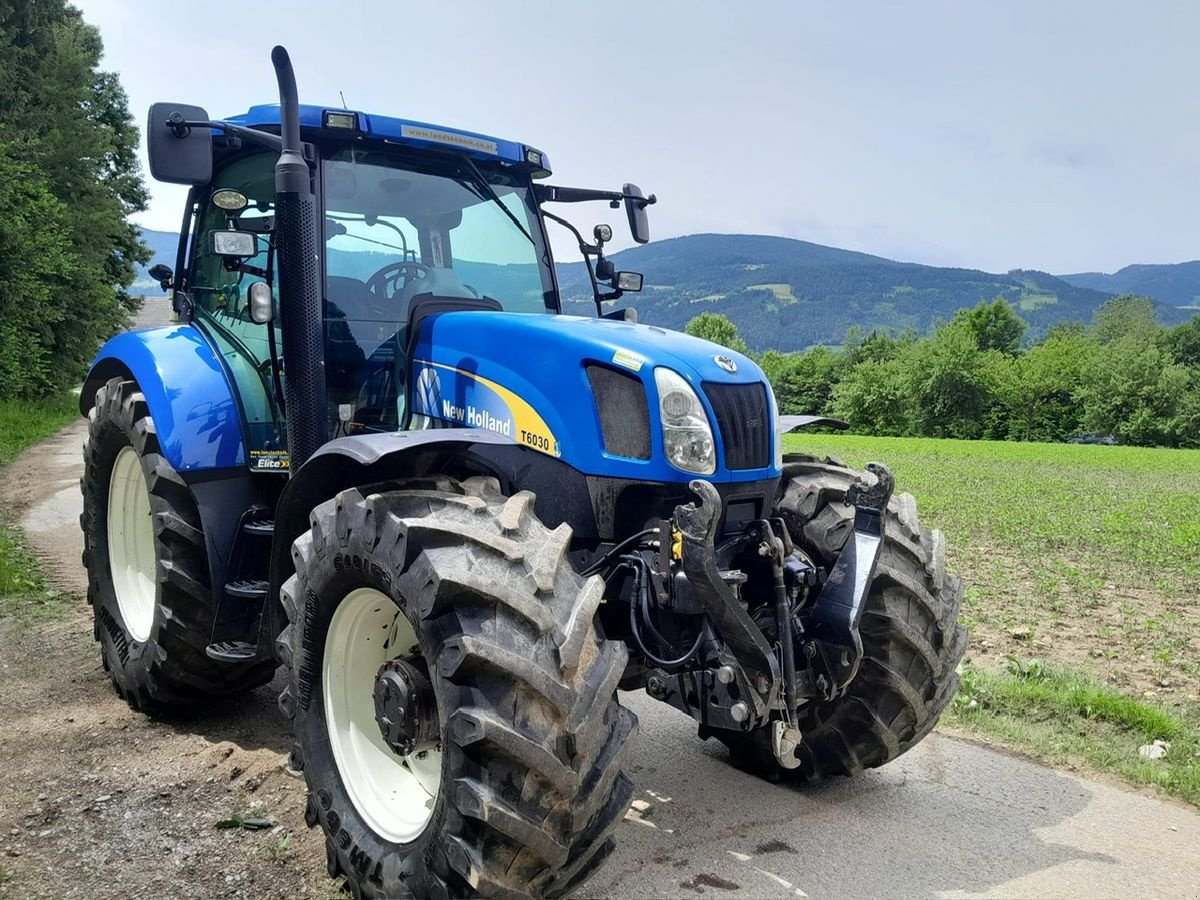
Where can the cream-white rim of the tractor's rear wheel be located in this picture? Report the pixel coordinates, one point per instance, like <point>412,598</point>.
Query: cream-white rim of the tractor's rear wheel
<point>131,551</point>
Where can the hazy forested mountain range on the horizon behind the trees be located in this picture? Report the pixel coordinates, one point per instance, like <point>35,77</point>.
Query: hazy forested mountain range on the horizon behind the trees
<point>791,295</point>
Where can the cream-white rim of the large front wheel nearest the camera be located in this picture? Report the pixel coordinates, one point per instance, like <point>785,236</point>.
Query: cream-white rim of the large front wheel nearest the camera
<point>394,795</point>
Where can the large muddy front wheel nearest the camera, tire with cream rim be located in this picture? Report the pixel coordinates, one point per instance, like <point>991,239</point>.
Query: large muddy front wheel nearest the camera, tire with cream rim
<point>531,740</point>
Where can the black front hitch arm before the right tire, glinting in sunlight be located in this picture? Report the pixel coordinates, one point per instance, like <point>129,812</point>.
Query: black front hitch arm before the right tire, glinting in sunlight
<point>833,644</point>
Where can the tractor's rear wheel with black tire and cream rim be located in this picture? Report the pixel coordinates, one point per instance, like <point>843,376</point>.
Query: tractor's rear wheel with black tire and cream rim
<point>148,573</point>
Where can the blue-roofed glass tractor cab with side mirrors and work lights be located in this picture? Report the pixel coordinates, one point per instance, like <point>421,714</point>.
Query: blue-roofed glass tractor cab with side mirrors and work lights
<point>415,219</point>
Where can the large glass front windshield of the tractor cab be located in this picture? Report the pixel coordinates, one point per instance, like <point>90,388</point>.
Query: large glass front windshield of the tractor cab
<point>399,229</point>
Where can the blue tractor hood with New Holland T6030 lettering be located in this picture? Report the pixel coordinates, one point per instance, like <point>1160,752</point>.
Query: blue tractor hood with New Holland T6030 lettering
<point>542,359</point>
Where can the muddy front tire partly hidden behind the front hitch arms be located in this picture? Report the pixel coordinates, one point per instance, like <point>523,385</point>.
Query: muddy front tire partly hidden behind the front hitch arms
<point>913,641</point>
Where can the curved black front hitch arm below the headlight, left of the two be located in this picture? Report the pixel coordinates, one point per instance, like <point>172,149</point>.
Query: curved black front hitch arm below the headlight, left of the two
<point>745,639</point>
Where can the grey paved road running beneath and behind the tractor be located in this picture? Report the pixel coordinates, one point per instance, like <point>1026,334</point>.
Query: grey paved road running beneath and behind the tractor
<point>951,819</point>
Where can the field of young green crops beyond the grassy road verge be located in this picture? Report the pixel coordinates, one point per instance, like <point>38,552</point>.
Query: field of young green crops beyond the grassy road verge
<point>1081,555</point>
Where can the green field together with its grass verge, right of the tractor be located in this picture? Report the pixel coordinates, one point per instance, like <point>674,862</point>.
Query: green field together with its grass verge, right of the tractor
<point>1083,573</point>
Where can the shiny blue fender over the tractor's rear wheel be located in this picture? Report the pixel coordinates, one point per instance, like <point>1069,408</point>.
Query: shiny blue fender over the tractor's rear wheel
<point>189,394</point>
